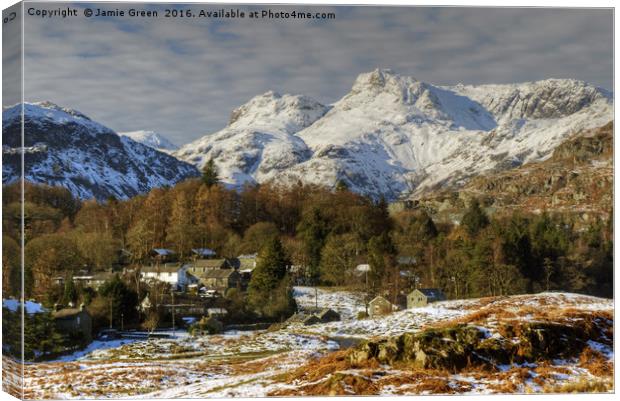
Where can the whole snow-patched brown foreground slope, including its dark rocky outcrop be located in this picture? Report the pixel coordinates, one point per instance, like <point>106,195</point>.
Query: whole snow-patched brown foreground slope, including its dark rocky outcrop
<point>553,342</point>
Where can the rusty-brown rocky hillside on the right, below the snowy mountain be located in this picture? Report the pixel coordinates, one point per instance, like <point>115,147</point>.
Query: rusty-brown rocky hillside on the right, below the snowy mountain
<point>576,179</point>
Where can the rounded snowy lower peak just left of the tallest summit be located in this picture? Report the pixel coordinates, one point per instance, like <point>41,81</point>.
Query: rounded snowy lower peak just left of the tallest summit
<point>259,140</point>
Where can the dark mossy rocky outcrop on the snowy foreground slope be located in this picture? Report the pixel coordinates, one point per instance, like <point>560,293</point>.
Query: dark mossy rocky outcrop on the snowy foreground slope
<point>460,346</point>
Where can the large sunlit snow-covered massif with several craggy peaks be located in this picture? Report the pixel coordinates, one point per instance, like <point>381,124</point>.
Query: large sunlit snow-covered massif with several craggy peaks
<point>393,135</point>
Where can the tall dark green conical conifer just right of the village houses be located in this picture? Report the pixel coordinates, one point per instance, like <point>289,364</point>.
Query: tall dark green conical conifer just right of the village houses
<point>269,283</point>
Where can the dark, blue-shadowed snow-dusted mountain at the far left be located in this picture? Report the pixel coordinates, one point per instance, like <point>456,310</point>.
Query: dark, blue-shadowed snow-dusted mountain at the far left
<point>64,147</point>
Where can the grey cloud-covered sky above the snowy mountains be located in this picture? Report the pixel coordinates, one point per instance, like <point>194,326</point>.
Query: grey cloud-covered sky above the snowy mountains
<point>183,78</point>
